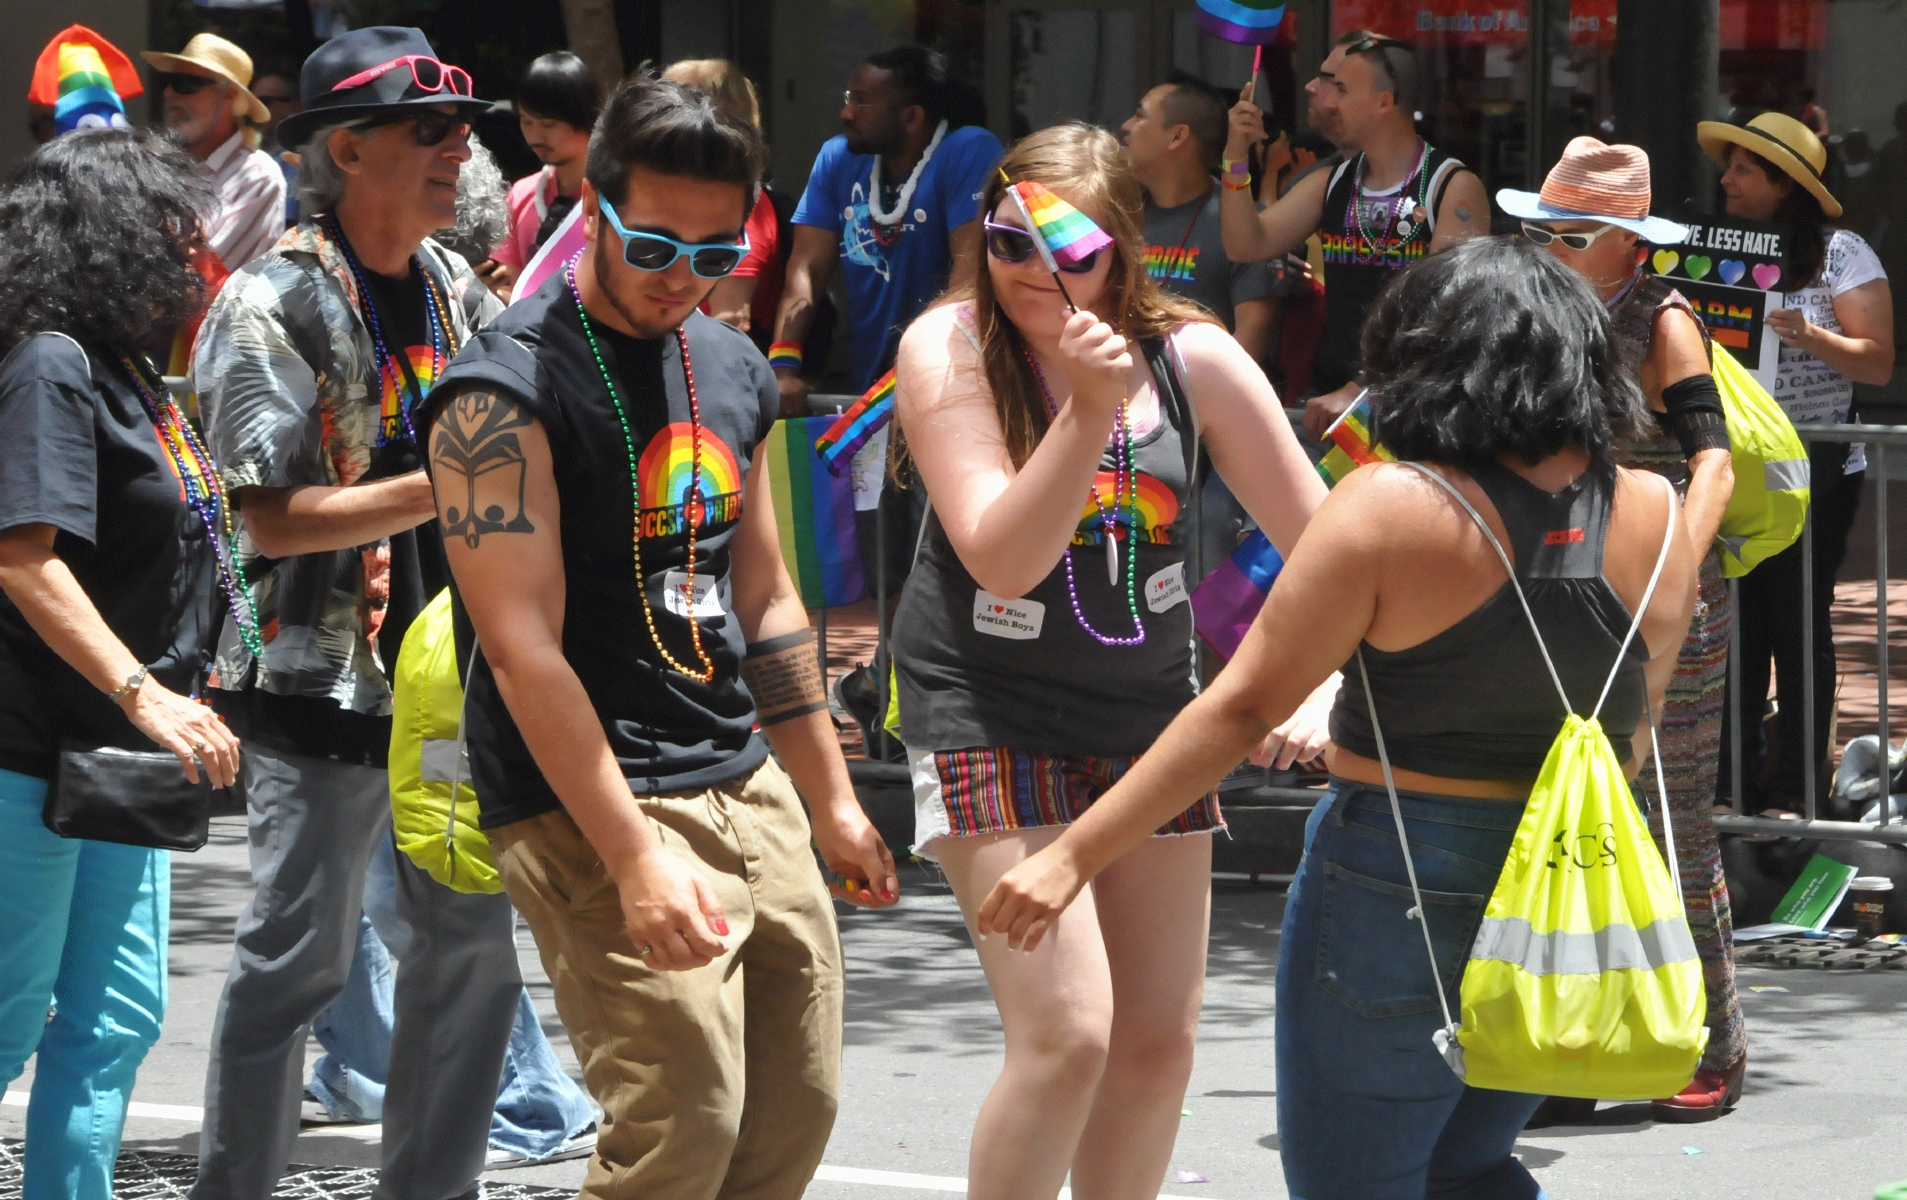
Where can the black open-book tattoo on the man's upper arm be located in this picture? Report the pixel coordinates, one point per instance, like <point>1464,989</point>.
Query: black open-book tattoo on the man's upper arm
<point>480,468</point>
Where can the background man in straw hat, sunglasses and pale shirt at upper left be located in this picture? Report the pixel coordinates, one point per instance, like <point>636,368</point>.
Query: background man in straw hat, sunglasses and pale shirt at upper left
<point>215,117</point>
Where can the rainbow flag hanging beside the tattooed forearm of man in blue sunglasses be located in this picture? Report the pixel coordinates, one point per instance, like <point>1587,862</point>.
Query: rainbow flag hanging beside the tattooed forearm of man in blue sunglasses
<point>813,516</point>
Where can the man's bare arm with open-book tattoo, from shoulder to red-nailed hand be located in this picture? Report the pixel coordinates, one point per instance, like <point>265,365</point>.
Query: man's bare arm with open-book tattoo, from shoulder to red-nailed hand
<point>504,541</point>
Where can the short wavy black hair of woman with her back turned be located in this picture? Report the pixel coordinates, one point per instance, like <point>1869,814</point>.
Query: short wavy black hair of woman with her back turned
<point>1492,348</point>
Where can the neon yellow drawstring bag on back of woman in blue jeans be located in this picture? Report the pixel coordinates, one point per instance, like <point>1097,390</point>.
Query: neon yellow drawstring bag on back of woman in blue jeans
<point>1584,980</point>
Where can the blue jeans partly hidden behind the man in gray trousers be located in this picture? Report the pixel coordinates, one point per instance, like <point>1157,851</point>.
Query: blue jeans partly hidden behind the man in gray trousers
<point>539,1107</point>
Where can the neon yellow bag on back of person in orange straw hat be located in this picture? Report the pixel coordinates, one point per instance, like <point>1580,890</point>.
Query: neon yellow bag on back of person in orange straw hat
<point>1771,501</point>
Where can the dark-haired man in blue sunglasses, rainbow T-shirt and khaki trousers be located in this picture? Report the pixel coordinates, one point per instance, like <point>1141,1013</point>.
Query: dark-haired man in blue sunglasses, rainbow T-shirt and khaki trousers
<point>640,652</point>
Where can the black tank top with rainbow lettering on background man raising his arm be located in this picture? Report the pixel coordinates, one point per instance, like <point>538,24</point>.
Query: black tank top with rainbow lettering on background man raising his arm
<point>1364,251</point>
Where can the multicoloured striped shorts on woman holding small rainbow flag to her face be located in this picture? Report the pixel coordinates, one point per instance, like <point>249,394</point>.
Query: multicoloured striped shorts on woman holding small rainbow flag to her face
<point>998,789</point>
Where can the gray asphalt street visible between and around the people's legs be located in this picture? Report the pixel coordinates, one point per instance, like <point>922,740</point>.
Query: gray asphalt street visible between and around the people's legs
<point>1828,1067</point>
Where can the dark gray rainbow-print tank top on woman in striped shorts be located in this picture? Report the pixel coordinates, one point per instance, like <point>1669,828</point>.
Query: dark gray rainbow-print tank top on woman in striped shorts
<point>981,671</point>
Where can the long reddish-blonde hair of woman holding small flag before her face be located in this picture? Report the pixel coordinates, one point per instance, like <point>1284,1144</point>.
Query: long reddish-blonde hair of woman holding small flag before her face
<point>1088,167</point>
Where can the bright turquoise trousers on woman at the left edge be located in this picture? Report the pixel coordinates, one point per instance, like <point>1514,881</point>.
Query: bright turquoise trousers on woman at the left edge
<point>83,930</point>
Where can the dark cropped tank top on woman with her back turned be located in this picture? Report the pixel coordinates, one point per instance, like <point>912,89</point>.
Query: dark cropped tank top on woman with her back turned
<point>1477,701</point>
